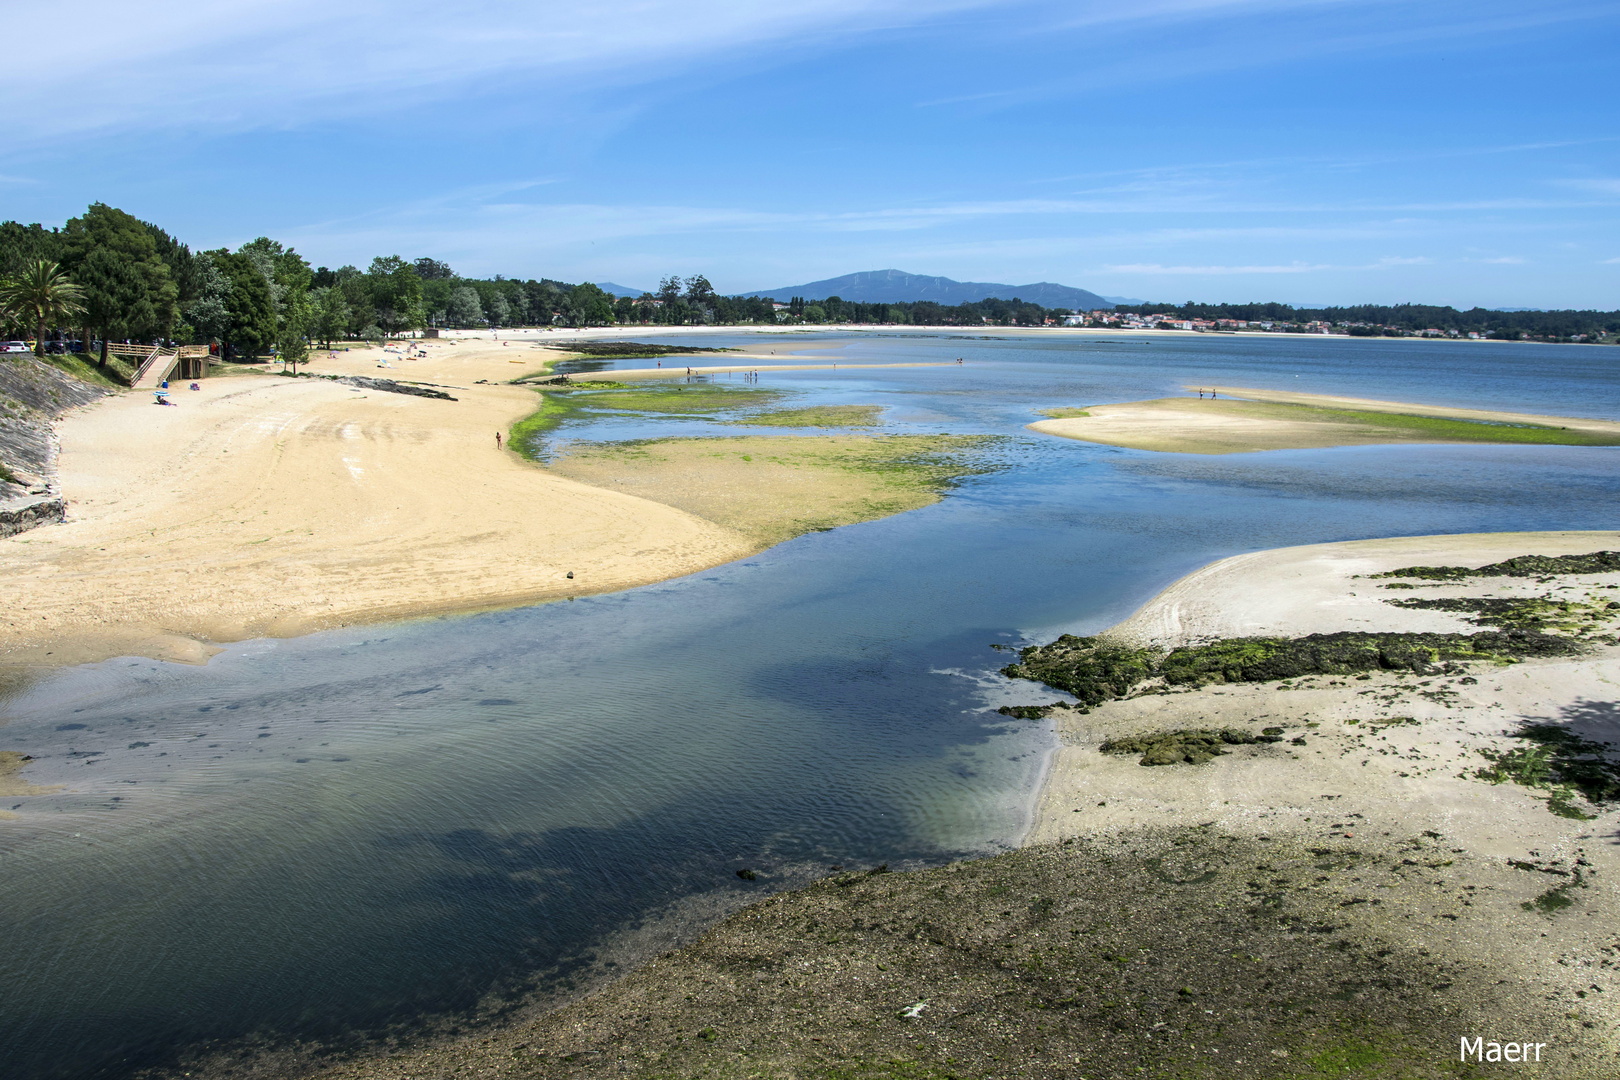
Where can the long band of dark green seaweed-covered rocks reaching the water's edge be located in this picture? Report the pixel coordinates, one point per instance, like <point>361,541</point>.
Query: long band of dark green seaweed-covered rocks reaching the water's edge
<point>1101,670</point>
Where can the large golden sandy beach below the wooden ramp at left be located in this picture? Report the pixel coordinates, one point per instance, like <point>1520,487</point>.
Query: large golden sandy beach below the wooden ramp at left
<point>268,506</point>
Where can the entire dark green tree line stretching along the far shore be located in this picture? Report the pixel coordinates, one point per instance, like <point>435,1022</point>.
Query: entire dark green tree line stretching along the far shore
<point>111,276</point>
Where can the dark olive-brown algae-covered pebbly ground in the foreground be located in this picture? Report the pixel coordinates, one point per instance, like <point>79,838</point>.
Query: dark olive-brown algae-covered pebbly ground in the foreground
<point>1179,953</point>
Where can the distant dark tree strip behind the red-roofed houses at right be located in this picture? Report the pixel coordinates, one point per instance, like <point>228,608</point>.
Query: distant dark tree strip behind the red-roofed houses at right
<point>1553,326</point>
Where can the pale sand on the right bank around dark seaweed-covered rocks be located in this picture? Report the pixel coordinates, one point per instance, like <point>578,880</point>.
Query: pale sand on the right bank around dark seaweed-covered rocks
<point>1376,757</point>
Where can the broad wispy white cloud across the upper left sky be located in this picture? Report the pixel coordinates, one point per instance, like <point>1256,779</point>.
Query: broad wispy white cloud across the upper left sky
<point>273,64</point>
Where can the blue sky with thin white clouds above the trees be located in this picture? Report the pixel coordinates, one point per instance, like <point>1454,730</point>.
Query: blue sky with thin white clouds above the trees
<point>1308,151</point>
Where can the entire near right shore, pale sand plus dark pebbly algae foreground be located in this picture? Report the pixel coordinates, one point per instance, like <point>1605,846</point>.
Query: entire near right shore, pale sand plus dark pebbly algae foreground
<point>1378,930</point>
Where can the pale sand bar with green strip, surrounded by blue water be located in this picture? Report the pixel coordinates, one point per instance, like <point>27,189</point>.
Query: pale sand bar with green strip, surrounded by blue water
<point>1242,422</point>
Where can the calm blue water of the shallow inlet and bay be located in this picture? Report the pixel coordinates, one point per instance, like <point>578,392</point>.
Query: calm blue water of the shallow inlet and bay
<point>359,831</point>
